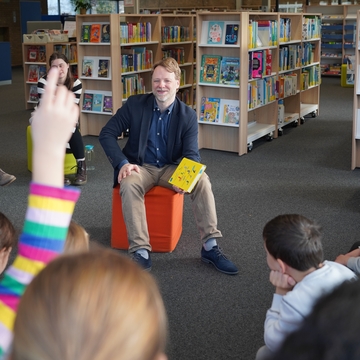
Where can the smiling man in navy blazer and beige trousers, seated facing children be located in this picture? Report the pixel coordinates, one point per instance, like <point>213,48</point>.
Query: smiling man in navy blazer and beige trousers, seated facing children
<point>162,130</point>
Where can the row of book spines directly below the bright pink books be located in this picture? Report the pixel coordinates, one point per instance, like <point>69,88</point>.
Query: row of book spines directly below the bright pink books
<point>261,92</point>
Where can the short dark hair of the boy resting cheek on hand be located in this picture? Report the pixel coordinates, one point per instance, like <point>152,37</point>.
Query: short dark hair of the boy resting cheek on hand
<point>295,240</point>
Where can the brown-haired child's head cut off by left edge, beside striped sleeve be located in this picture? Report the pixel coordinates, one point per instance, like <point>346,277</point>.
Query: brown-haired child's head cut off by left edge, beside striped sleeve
<point>8,240</point>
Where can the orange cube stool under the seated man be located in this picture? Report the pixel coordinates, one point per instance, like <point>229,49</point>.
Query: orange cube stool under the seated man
<point>164,212</point>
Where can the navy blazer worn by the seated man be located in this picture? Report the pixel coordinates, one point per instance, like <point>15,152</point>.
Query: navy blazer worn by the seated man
<point>136,115</point>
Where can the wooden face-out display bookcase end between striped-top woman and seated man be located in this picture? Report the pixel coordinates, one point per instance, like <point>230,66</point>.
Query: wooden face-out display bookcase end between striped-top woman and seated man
<point>96,87</point>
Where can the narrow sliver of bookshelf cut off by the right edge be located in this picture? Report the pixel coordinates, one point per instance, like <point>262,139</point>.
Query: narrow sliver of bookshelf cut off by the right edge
<point>355,155</point>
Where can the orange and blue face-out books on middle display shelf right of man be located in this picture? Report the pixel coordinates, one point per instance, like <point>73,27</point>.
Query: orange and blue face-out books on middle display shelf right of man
<point>217,69</point>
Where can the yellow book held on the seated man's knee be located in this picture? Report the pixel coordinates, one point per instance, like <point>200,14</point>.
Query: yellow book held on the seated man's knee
<point>187,174</point>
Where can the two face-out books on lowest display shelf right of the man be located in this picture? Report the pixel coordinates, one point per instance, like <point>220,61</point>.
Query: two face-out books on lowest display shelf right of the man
<point>221,111</point>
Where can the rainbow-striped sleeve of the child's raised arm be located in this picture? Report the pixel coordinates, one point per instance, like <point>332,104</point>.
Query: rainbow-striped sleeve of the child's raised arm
<point>46,224</point>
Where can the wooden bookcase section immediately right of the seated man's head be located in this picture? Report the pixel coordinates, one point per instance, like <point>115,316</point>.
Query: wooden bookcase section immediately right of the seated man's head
<point>177,41</point>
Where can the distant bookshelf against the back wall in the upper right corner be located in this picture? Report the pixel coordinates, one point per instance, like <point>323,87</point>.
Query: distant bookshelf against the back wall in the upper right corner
<point>337,35</point>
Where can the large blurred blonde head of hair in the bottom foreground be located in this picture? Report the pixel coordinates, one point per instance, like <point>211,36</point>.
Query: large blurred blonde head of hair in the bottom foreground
<point>90,306</point>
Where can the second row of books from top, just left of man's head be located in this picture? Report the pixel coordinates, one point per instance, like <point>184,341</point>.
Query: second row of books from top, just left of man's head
<point>136,59</point>
